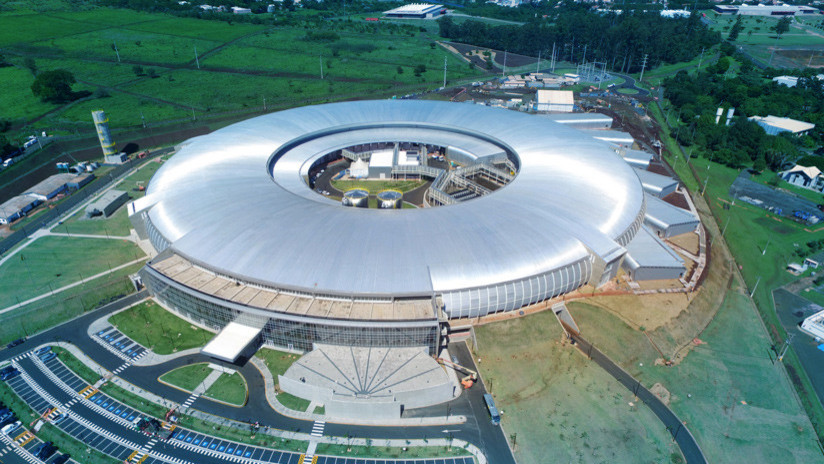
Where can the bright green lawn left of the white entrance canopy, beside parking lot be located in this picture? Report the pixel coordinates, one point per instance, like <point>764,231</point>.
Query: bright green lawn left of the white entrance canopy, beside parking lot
<point>159,330</point>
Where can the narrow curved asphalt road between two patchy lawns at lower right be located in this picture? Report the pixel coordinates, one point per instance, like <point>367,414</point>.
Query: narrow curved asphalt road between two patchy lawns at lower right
<point>689,447</point>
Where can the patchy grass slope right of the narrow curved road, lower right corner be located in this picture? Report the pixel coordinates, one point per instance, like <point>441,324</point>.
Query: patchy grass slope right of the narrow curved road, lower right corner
<point>738,404</point>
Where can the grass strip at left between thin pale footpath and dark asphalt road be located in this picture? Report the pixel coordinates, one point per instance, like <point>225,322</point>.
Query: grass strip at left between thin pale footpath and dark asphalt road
<point>63,306</point>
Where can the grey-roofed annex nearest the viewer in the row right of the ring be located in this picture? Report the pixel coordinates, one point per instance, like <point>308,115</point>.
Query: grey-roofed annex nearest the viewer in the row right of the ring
<point>648,258</point>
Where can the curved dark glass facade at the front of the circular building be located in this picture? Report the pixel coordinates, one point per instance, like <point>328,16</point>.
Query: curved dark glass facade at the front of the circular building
<point>292,331</point>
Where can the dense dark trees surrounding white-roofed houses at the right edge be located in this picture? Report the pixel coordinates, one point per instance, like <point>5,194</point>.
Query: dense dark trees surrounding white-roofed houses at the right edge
<point>697,97</point>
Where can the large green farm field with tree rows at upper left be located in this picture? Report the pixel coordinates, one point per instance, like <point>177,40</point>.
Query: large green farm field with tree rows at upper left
<point>157,68</point>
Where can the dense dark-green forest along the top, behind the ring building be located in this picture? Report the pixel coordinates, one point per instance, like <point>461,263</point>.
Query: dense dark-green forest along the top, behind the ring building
<point>582,34</point>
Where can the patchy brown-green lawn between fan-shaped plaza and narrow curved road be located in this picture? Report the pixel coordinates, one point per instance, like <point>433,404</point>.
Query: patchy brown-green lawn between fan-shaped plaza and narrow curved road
<point>563,407</point>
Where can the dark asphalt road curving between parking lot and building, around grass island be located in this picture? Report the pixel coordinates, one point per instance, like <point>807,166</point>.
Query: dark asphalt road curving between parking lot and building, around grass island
<point>489,439</point>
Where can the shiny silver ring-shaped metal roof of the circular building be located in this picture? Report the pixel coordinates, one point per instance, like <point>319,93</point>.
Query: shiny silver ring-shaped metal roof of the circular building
<point>217,203</point>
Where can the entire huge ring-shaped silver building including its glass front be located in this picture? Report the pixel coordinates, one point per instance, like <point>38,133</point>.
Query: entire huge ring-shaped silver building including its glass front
<point>242,235</point>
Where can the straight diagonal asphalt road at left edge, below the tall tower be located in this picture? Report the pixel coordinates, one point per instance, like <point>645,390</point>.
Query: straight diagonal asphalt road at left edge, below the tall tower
<point>73,200</point>
